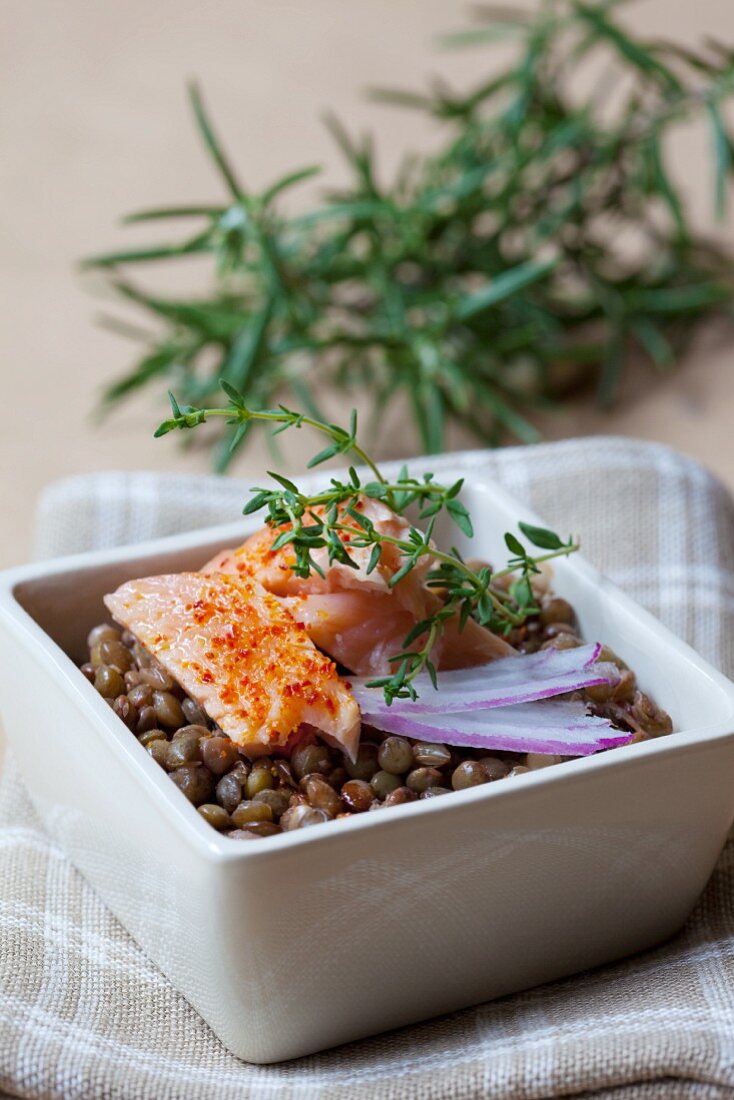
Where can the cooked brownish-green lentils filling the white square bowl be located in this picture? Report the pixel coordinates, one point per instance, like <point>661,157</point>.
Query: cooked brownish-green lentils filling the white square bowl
<point>249,799</point>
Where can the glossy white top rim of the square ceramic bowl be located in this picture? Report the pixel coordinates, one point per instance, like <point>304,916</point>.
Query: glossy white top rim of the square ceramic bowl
<point>183,816</point>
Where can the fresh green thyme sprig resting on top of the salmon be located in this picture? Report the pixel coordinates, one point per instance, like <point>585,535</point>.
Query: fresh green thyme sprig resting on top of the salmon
<point>333,520</point>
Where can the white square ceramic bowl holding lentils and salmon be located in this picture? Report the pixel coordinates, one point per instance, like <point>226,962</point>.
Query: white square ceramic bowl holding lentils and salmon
<point>299,942</point>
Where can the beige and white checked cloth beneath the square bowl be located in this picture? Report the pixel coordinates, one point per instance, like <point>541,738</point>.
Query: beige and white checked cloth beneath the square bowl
<point>85,1015</point>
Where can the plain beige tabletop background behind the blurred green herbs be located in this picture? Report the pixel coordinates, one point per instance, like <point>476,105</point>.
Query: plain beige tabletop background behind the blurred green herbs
<point>95,124</point>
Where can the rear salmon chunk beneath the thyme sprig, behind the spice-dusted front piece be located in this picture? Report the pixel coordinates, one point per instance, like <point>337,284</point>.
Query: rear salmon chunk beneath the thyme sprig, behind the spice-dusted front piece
<point>353,614</point>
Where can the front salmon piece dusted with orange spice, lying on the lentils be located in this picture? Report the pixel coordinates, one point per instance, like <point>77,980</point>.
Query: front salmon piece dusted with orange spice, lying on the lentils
<point>239,653</point>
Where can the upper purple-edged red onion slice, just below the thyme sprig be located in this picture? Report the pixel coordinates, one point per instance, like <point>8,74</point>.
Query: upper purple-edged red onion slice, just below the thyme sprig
<point>506,683</point>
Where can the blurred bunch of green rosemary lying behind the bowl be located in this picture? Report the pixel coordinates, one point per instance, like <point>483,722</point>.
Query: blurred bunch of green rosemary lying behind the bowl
<point>481,276</point>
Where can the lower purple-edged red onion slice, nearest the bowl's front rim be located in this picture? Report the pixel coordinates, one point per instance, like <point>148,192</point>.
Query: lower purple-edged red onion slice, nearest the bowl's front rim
<point>563,729</point>
